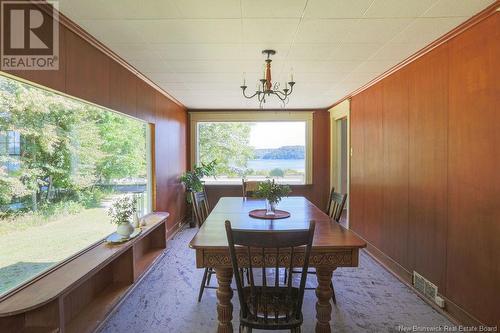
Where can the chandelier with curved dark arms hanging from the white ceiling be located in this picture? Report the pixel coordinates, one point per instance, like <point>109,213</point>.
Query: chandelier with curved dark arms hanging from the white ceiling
<point>266,88</point>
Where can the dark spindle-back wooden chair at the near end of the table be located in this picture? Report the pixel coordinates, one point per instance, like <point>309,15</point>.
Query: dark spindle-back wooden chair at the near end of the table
<point>269,306</point>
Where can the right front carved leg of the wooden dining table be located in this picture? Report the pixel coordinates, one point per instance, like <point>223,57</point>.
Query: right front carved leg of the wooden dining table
<point>324,294</point>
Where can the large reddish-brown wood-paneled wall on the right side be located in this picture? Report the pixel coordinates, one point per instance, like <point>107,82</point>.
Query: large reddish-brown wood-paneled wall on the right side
<point>425,183</point>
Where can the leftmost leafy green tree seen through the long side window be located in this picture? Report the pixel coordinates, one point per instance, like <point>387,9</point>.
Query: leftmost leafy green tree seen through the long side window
<point>55,132</point>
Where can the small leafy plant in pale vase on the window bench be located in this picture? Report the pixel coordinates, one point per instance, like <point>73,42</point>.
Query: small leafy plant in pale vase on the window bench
<point>121,212</point>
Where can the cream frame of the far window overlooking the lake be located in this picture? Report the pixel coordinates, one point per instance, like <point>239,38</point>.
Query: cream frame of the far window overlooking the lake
<point>254,116</point>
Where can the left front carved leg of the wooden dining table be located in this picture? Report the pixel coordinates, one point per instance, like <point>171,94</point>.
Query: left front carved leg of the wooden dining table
<point>224,295</point>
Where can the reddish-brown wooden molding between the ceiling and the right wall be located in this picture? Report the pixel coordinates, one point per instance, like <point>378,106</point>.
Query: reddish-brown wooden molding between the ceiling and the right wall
<point>487,12</point>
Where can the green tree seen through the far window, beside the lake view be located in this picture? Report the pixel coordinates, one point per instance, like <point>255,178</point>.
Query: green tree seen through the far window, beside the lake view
<point>227,143</point>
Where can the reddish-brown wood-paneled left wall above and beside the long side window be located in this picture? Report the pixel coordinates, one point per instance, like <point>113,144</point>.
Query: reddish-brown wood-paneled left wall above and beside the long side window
<point>87,73</point>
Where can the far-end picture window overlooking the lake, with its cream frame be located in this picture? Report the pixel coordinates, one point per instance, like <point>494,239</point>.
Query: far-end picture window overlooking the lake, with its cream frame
<point>254,146</point>
